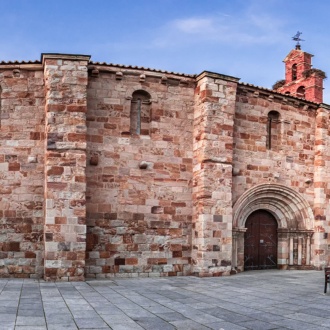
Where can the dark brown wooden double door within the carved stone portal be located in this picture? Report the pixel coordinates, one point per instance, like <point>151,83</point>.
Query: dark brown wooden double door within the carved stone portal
<point>260,241</point>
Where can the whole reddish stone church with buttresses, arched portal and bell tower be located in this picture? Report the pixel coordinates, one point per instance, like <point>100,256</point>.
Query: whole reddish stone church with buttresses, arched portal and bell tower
<point>110,170</point>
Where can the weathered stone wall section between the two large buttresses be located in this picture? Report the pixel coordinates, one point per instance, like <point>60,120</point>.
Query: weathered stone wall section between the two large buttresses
<point>139,187</point>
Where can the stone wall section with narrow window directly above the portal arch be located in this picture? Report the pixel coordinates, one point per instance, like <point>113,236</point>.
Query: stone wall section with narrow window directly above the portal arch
<point>290,160</point>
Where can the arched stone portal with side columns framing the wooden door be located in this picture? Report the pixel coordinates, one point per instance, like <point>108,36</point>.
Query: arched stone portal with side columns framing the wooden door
<point>294,217</point>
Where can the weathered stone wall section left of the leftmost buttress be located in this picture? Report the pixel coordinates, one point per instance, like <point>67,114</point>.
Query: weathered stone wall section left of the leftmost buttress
<point>21,170</point>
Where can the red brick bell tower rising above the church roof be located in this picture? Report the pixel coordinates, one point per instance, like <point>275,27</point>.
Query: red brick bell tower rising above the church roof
<point>301,80</point>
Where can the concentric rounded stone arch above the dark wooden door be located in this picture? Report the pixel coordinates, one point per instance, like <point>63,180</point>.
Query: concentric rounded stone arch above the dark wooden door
<point>289,208</point>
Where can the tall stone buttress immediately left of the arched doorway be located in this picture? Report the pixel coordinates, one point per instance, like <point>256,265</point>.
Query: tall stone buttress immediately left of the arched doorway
<point>212,192</point>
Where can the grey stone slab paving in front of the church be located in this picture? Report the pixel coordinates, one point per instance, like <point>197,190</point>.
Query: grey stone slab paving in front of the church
<point>255,300</point>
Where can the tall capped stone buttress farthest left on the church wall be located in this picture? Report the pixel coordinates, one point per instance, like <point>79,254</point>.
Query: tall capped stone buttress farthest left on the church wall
<point>65,163</point>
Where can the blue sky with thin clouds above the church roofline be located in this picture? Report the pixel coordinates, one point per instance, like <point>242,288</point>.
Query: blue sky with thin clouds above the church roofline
<point>247,39</point>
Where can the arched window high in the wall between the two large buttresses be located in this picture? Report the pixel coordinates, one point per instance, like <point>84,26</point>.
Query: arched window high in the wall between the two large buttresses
<point>140,113</point>
